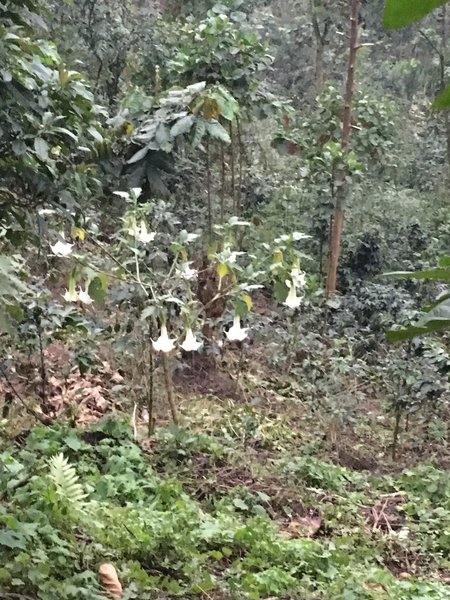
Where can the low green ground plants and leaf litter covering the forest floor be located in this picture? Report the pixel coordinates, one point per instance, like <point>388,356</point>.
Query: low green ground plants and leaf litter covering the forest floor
<point>248,498</point>
